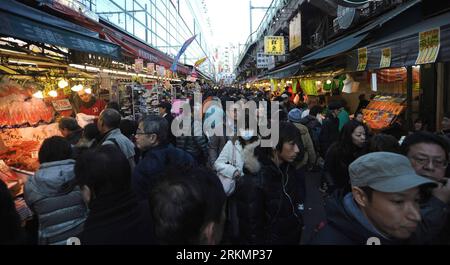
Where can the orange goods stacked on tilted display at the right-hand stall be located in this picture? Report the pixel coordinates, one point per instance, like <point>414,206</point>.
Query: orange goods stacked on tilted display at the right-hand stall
<point>383,110</point>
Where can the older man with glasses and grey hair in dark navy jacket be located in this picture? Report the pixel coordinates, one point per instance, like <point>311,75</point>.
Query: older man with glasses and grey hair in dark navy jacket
<point>158,155</point>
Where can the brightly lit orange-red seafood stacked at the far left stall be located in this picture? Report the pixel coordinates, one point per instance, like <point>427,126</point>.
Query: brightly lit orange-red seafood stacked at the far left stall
<point>20,115</point>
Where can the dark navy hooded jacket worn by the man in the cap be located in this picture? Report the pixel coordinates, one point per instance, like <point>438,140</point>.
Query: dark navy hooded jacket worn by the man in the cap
<point>346,224</point>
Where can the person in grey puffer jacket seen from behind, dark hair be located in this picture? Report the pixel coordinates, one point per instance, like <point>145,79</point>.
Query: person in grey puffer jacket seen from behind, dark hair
<point>51,194</point>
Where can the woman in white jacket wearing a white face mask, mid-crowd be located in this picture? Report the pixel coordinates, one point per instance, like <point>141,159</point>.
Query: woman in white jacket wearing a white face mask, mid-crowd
<point>230,163</point>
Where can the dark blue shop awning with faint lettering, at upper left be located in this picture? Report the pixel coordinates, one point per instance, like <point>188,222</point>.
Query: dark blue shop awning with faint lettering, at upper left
<point>23,22</point>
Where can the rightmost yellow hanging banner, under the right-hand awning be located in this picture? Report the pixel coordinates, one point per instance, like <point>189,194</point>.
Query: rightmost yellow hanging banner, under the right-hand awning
<point>429,44</point>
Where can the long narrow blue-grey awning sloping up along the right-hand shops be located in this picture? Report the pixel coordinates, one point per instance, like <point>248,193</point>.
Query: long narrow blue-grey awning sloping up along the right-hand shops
<point>349,42</point>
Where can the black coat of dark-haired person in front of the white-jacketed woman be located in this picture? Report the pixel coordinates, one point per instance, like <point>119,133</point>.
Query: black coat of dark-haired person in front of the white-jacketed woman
<point>273,211</point>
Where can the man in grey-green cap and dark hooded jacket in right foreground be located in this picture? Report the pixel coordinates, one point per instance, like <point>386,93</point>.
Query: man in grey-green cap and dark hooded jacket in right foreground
<point>383,206</point>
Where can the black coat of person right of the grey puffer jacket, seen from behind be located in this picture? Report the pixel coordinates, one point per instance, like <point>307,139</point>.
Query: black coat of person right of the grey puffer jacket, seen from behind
<point>118,219</point>
